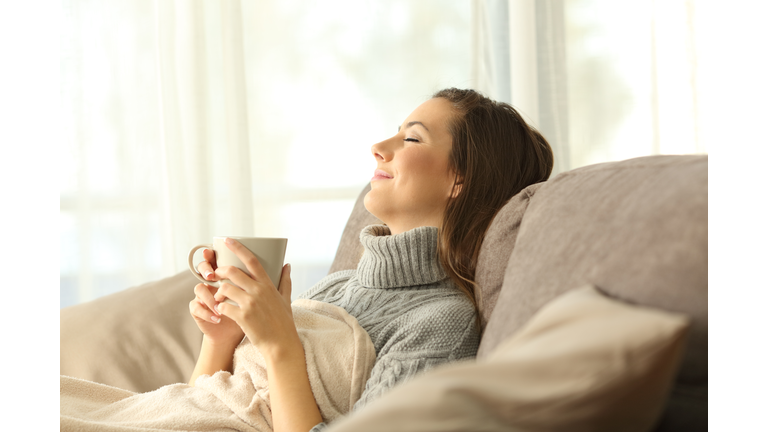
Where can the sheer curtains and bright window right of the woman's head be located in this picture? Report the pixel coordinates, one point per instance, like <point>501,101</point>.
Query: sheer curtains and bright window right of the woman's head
<point>602,80</point>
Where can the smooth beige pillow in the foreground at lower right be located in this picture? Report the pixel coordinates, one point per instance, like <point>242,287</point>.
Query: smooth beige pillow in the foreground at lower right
<point>584,362</point>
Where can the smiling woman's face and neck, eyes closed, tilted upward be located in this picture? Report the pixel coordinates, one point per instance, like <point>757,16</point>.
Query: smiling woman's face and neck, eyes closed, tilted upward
<point>413,181</point>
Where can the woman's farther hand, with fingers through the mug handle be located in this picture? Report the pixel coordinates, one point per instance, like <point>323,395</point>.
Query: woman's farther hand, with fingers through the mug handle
<point>217,328</point>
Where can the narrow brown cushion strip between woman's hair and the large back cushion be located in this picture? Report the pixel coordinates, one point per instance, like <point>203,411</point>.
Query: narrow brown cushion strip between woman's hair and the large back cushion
<point>496,249</point>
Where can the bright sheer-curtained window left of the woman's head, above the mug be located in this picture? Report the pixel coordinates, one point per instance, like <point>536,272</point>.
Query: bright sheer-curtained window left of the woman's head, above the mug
<point>189,119</point>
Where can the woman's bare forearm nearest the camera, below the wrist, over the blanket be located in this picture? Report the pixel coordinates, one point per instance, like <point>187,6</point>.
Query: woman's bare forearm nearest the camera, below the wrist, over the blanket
<point>294,407</point>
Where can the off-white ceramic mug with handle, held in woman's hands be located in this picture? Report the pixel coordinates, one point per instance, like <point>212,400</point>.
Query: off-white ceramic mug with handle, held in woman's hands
<point>269,251</point>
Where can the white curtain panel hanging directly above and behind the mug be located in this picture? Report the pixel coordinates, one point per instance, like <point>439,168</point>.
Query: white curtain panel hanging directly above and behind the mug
<point>201,191</point>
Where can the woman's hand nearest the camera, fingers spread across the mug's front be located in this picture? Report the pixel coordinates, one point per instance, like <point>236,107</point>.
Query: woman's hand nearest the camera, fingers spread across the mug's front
<point>264,312</point>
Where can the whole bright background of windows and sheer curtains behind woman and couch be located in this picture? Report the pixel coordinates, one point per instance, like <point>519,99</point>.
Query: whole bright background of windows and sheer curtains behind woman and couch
<point>185,120</point>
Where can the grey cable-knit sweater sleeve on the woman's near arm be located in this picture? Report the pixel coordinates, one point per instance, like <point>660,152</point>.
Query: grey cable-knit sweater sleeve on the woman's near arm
<point>420,342</point>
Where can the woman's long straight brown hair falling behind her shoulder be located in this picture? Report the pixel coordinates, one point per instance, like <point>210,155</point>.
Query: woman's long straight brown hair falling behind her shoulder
<point>495,154</point>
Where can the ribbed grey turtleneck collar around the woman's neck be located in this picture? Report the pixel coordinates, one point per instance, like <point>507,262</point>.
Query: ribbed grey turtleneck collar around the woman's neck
<point>401,260</point>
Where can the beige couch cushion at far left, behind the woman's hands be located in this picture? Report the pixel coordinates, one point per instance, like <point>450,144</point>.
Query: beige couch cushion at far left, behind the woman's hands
<point>138,339</point>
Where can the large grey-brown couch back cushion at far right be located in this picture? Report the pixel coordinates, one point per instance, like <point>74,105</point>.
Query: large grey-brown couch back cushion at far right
<point>637,229</point>
